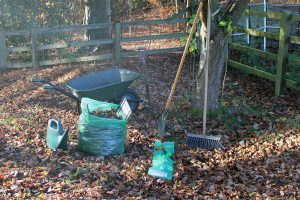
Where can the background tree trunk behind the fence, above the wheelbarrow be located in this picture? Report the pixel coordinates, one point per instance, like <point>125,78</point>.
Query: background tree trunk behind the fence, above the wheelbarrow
<point>97,11</point>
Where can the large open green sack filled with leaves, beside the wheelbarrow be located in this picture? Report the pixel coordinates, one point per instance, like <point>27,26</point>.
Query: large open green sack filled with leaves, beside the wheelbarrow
<point>100,136</point>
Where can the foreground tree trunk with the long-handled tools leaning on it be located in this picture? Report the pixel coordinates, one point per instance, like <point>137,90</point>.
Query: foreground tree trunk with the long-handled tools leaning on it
<point>231,11</point>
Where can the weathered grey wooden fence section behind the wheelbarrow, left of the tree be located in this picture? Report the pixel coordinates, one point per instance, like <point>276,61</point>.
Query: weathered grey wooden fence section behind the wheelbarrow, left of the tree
<point>34,48</point>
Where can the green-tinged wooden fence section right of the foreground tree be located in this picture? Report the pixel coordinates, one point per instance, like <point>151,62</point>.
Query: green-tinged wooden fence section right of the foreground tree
<point>282,57</point>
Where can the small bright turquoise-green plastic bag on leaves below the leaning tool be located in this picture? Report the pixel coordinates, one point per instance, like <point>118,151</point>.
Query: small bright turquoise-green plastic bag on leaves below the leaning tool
<point>162,163</point>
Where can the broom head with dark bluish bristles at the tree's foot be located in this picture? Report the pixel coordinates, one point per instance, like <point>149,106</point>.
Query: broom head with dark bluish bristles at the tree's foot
<point>204,141</point>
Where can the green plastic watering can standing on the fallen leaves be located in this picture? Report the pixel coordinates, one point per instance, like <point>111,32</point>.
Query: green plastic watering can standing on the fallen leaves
<point>57,138</point>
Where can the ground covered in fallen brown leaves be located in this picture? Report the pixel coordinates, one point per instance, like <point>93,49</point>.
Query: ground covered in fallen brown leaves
<point>260,132</point>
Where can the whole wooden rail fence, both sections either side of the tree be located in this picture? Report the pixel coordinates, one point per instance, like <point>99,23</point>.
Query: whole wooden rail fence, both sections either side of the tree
<point>282,57</point>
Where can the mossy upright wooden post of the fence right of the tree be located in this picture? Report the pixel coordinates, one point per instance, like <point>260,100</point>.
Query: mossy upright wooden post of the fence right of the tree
<point>282,60</point>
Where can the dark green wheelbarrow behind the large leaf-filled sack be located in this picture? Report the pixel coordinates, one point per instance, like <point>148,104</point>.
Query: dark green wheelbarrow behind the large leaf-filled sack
<point>109,85</point>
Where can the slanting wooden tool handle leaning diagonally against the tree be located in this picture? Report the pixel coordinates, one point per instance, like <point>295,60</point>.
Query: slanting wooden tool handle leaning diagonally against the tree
<point>180,67</point>
